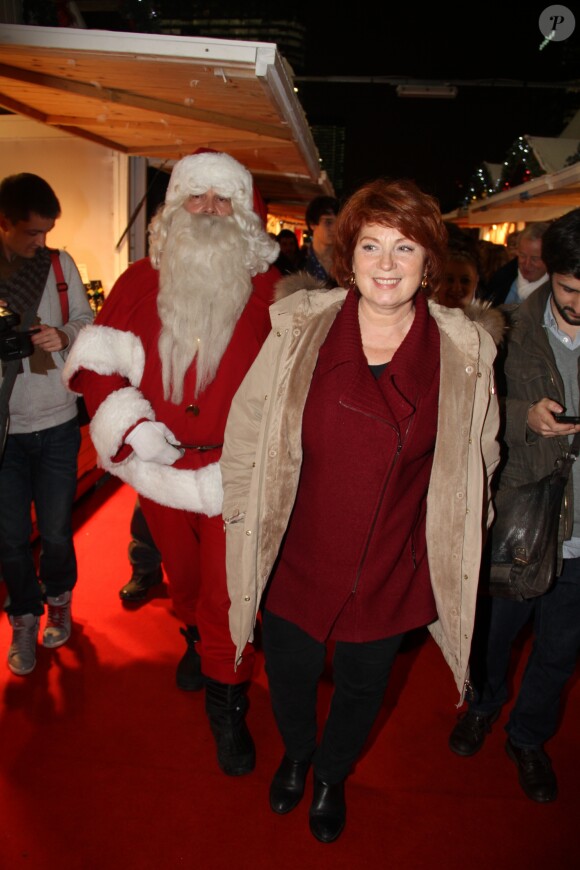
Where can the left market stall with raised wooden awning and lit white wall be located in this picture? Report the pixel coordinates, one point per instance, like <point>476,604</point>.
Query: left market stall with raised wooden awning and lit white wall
<point>92,109</point>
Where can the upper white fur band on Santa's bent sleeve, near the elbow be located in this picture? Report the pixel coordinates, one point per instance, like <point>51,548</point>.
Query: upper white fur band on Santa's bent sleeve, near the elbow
<point>106,351</point>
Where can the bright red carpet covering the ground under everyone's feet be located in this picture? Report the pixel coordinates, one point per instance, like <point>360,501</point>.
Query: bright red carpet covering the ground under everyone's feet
<point>105,763</point>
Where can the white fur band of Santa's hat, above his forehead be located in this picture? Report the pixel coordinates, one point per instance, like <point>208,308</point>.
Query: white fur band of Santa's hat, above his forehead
<point>198,172</point>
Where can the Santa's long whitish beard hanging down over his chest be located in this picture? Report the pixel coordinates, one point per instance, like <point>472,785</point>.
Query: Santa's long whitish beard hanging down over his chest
<point>203,288</point>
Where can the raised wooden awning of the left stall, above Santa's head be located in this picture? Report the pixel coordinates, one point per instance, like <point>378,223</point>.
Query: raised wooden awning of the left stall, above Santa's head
<point>162,97</point>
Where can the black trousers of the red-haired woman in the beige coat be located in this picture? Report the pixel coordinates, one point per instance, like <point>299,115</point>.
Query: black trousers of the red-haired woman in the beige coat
<point>294,665</point>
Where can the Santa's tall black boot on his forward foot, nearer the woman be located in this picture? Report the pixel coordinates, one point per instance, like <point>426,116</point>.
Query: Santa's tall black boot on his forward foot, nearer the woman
<point>226,707</point>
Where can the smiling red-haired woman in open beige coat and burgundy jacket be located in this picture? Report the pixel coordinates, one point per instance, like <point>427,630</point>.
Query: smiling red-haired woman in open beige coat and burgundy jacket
<point>356,466</point>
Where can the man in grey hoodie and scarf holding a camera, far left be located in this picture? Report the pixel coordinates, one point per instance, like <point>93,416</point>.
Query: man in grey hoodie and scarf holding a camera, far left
<point>40,434</point>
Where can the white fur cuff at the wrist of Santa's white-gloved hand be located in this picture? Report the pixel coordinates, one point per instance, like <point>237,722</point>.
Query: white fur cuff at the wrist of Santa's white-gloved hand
<point>120,411</point>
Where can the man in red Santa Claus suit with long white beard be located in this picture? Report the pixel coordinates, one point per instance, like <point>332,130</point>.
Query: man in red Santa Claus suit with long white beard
<point>158,371</point>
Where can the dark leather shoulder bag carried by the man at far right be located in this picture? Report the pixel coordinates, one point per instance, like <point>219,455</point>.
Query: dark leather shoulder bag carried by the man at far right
<point>523,541</point>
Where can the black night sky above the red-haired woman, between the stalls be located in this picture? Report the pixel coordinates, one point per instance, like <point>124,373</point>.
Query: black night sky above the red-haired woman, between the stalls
<point>439,143</point>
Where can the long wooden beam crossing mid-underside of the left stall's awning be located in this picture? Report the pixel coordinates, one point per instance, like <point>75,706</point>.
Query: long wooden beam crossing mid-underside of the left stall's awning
<point>138,101</point>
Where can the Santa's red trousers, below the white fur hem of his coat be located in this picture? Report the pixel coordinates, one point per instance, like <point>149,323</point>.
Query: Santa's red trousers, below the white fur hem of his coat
<point>193,550</point>
